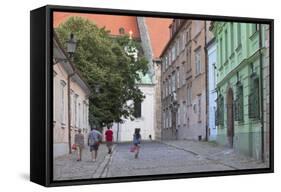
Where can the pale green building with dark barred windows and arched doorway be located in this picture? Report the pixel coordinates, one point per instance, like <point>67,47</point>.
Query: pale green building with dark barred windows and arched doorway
<point>240,59</point>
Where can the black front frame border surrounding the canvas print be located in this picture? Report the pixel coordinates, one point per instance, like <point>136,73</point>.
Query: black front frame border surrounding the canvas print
<point>49,182</point>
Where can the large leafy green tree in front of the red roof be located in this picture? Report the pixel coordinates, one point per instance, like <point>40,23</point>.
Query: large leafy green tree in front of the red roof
<point>103,63</point>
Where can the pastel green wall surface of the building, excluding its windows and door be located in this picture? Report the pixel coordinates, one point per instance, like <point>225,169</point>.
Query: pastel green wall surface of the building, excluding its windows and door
<point>238,56</point>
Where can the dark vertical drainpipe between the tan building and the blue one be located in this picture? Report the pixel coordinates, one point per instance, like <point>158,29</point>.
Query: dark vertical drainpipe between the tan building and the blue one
<point>206,81</point>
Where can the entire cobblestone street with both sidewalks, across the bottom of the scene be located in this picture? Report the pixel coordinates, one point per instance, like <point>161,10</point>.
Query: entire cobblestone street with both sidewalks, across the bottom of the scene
<point>155,158</point>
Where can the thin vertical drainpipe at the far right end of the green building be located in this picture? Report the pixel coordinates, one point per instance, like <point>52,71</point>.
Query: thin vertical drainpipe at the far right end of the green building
<point>261,89</point>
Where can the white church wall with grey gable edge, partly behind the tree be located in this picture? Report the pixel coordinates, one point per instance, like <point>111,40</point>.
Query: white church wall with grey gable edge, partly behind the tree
<point>144,111</point>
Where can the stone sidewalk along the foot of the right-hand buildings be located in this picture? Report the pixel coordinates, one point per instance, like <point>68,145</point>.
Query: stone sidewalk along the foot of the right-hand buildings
<point>216,153</point>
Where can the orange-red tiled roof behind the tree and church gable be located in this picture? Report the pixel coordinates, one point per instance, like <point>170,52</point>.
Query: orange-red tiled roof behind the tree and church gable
<point>158,28</point>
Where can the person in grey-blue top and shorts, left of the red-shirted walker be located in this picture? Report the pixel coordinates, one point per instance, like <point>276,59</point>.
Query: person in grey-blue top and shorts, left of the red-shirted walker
<point>94,140</point>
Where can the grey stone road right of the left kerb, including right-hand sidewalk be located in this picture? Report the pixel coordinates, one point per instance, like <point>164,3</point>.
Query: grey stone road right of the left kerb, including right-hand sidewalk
<point>177,157</point>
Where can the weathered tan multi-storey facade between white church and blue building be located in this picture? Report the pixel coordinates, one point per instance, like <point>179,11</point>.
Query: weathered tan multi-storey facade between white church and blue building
<point>184,81</point>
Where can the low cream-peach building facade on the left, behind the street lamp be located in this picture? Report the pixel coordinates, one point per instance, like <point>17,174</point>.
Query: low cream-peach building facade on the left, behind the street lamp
<point>70,101</point>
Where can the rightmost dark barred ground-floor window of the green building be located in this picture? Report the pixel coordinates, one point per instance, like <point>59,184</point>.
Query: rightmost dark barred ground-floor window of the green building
<point>254,97</point>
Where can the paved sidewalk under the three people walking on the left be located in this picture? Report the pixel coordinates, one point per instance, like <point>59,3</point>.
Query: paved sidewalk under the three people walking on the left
<point>66,167</point>
